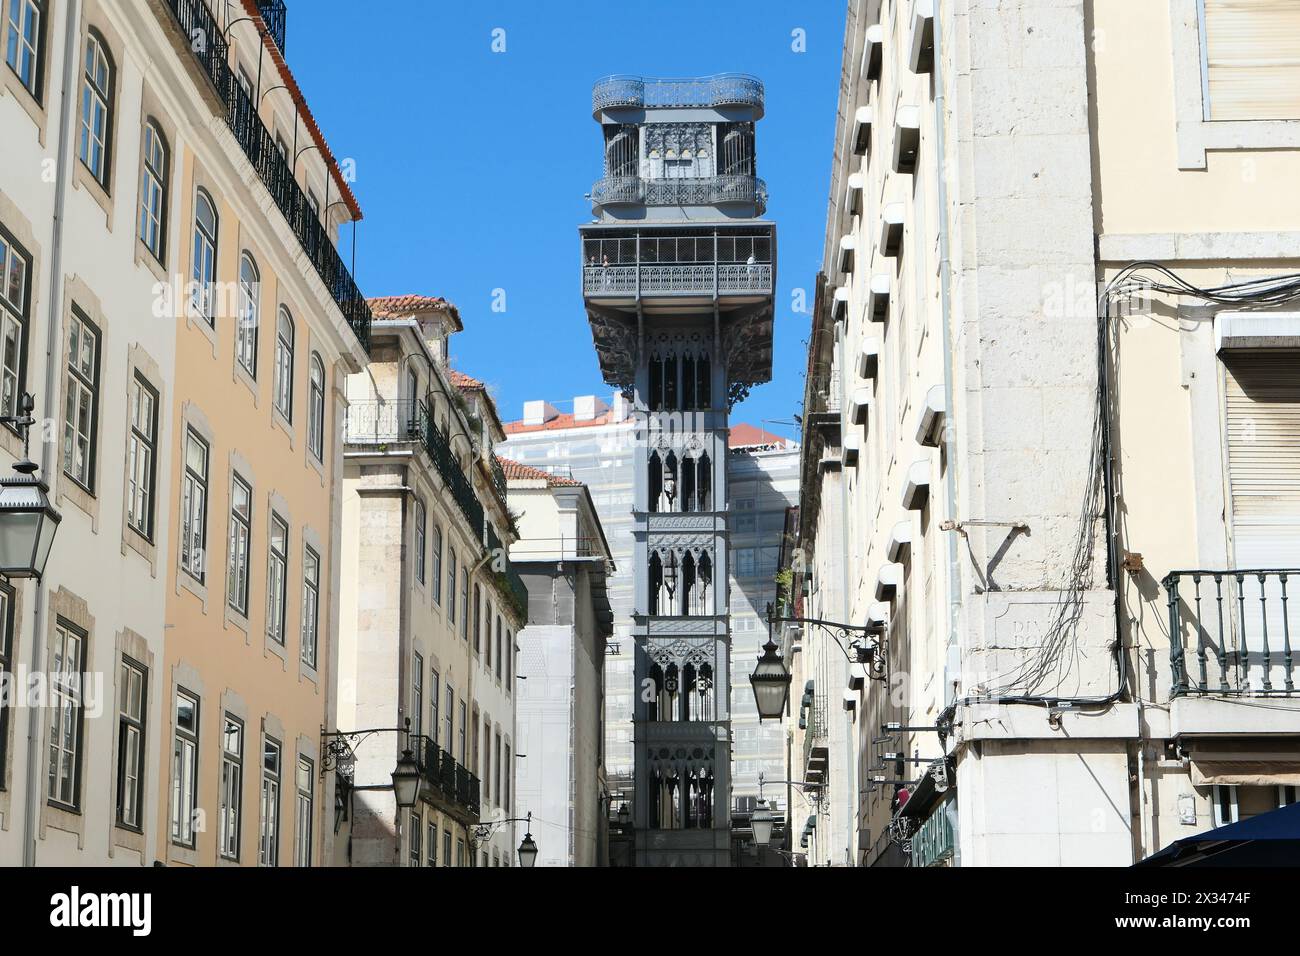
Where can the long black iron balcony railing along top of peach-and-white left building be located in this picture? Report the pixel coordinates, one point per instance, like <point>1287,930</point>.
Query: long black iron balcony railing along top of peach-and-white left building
<point>194,19</point>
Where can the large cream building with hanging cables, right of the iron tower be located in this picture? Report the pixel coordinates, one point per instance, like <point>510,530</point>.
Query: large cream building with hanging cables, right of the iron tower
<point>1016,518</point>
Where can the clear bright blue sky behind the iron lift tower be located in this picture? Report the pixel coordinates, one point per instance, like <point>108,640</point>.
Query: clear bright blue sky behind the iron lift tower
<point>473,165</point>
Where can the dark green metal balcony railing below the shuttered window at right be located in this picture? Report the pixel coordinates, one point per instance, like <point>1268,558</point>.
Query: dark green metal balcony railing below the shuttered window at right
<point>1232,633</point>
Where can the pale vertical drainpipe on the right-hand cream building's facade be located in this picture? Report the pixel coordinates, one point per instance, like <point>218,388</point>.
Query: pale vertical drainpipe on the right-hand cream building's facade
<point>955,581</point>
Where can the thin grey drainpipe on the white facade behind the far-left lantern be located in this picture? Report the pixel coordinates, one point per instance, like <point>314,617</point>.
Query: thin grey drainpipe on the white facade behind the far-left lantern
<point>57,272</point>
